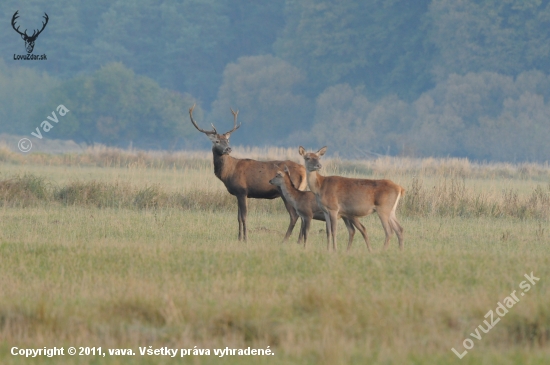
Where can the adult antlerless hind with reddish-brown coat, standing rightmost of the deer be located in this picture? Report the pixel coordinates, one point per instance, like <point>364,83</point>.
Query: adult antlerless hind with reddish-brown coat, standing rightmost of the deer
<point>353,198</point>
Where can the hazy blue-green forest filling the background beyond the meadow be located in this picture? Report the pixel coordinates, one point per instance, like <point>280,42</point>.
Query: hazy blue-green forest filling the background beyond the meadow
<point>464,78</point>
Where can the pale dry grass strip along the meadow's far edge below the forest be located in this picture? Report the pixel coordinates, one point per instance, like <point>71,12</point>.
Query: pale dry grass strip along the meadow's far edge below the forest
<point>101,156</point>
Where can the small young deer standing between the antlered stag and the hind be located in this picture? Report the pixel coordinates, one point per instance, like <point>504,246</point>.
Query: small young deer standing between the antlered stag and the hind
<point>305,204</point>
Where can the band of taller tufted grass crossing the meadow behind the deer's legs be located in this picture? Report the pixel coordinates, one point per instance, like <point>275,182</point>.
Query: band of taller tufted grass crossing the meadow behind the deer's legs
<point>447,197</point>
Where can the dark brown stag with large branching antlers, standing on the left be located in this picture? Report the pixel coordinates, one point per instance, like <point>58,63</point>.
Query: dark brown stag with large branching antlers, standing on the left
<point>247,178</point>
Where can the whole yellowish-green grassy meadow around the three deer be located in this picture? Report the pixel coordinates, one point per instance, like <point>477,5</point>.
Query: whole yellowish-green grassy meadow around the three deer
<point>125,249</point>
